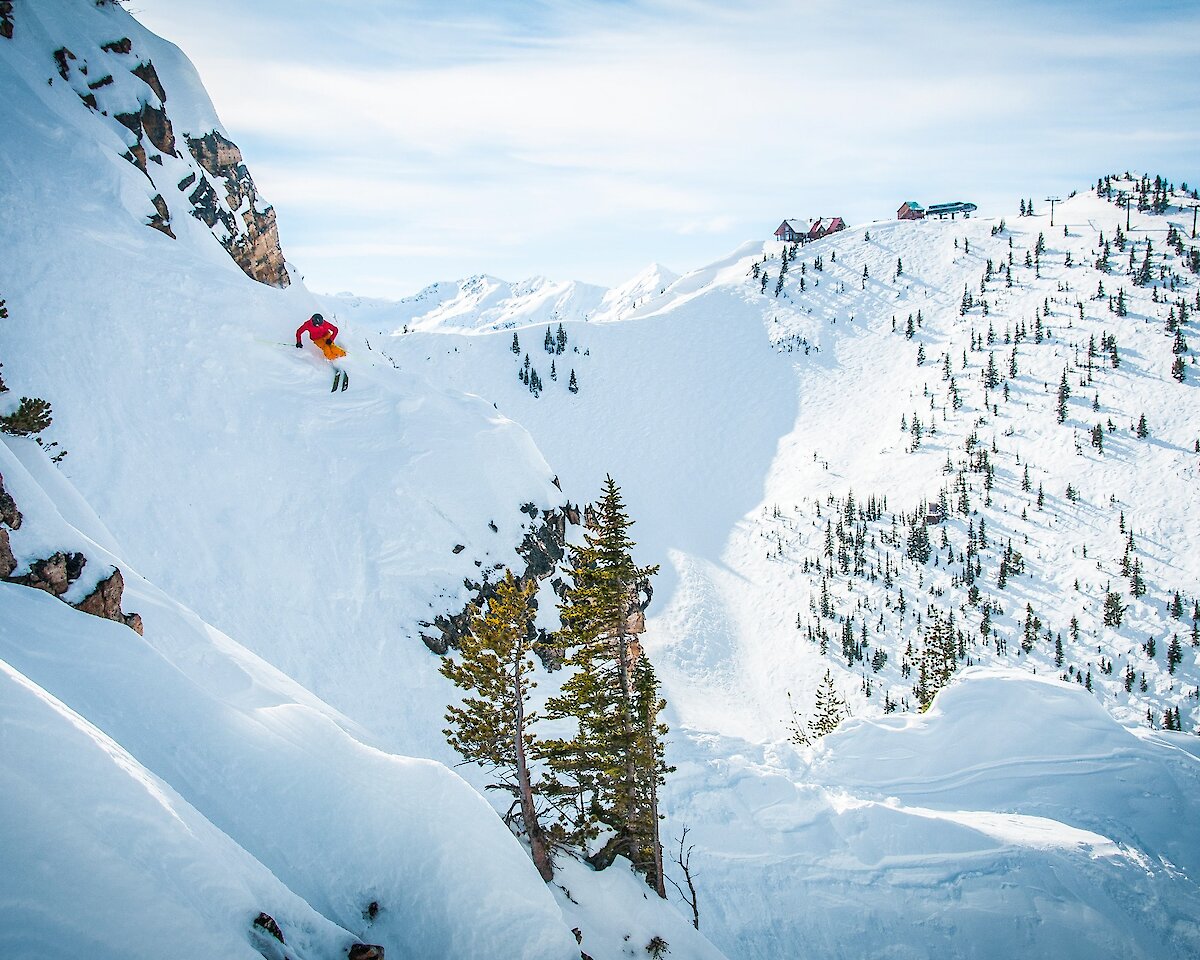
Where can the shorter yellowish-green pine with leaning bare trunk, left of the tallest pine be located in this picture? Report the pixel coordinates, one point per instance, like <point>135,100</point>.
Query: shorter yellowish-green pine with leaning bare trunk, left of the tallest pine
<point>494,728</point>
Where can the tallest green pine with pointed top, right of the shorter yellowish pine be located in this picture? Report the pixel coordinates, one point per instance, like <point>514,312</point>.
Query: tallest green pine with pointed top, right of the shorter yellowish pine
<point>614,763</point>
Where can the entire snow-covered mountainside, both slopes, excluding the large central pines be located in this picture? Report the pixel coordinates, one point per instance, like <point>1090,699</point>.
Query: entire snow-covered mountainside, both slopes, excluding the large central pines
<point>273,741</point>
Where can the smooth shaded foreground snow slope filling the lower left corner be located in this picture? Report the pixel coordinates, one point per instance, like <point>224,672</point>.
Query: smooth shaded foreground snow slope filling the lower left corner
<point>182,777</point>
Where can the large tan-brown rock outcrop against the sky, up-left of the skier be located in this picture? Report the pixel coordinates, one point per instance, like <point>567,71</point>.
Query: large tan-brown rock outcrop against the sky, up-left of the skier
<point>255,242</point>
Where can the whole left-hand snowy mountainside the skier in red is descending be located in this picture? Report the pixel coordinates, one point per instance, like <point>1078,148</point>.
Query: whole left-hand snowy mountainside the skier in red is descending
<point>247,506</point>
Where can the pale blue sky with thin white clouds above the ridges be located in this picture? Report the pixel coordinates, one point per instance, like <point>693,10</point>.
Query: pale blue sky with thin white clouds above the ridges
<point>406,142</point>
